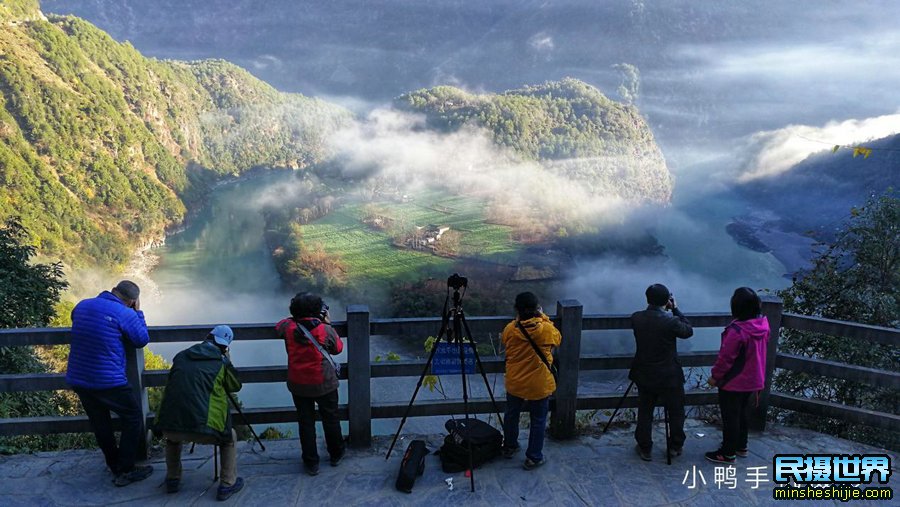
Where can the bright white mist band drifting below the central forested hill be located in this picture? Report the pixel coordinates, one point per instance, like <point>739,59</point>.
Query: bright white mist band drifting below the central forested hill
<point>400,147</point>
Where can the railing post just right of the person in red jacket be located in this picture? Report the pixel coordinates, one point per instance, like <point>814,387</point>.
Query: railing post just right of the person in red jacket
<point>359,374</point>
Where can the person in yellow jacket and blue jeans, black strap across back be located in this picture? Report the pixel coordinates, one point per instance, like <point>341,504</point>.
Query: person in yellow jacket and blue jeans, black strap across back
<point>529,382</point>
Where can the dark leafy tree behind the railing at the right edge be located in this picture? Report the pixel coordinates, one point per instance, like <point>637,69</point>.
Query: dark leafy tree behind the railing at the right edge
<point>856,278</point>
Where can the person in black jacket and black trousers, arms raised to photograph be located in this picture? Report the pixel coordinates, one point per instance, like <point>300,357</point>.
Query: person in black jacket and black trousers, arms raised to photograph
<point>656,370</point>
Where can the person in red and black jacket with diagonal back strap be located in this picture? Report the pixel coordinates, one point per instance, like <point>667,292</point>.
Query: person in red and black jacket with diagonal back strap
<point>313,376</point>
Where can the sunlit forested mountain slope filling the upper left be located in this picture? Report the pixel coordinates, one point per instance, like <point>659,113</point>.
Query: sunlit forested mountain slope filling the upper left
<point>101,148</point>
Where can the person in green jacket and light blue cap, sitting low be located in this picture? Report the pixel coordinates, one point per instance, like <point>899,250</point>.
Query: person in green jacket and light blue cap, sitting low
<point>195,408</point>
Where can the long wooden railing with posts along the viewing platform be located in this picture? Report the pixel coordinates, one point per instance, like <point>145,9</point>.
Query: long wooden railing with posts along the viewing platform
<point>358,371</point>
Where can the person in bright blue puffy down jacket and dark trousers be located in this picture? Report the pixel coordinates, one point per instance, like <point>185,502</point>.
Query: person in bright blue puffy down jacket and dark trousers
<point>101,328</point>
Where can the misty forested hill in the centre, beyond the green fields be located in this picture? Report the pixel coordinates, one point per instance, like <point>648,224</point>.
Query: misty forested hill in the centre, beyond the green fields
<point>568,125</point>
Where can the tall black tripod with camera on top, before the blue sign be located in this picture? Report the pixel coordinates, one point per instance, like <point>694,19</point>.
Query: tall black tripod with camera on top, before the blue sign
<point>452,335</point>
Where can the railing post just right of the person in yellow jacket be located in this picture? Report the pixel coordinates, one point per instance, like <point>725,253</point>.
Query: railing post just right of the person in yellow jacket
<point>569,312</point>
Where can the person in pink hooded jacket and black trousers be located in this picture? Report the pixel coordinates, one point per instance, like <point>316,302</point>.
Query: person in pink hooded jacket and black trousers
<point>740,371</point>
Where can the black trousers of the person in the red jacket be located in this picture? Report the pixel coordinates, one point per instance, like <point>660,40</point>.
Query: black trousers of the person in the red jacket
<point>306,417</point>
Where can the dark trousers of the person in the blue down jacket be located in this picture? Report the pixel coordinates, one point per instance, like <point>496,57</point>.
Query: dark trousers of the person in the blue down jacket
<point>98,403</point>
